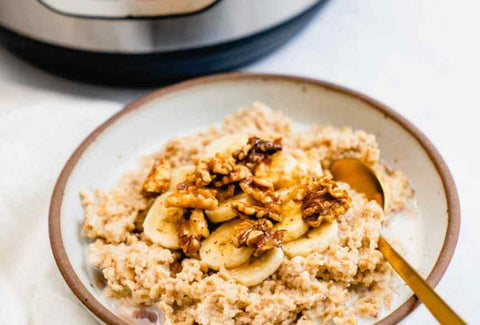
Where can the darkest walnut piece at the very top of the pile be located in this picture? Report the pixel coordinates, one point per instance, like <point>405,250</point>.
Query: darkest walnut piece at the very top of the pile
<point>257,150</point>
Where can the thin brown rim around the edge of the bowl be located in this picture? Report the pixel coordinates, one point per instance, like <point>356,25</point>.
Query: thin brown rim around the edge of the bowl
<point>102,313</point>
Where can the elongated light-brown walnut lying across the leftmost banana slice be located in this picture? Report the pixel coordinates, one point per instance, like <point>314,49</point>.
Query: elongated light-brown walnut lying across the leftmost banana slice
<point>193,197</point>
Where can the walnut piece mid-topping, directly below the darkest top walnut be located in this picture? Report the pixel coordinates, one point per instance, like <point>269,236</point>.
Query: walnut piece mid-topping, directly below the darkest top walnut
<point>262,191</point>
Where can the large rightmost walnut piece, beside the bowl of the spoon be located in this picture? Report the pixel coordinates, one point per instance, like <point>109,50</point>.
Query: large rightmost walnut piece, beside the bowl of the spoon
<point>325,201</point>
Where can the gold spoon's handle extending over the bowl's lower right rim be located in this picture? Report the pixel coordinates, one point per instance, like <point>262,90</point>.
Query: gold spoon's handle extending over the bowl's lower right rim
<point>442,312</point>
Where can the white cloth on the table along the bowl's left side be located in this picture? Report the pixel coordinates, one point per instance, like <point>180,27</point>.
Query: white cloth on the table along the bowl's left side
<point>38,132</point>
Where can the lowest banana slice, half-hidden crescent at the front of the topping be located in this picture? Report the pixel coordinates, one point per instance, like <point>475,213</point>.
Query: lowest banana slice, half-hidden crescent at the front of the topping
<point>259,269</point>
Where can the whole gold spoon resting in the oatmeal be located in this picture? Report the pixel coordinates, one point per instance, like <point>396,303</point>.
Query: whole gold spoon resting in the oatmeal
<point>363,179</point>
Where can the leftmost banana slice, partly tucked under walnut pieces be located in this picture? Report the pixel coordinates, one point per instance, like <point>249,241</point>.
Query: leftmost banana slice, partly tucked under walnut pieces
<point>160,224</point>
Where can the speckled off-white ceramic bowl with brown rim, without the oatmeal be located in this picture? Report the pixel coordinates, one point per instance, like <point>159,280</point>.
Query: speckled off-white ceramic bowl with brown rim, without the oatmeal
<point>116,146</point>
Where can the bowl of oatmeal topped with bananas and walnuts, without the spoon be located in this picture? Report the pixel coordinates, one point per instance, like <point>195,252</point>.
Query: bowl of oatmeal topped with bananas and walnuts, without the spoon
<point>211,202</point>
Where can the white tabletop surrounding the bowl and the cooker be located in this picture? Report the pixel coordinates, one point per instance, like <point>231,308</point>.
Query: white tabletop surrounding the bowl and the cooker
<point>418,57</point>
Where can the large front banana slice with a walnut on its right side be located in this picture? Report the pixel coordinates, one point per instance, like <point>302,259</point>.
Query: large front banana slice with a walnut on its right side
<point>218,249</point>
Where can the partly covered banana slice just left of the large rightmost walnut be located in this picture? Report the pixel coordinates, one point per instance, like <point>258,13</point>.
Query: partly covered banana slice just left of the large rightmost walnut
<point>293,221</point>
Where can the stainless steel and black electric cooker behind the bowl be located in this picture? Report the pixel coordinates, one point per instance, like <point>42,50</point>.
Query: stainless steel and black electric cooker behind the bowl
<point>139,42</point>
